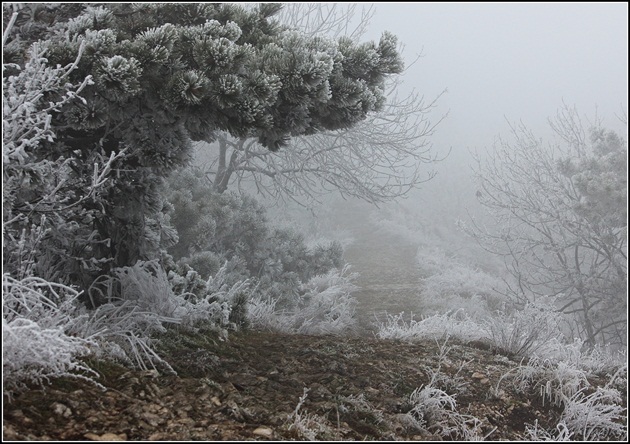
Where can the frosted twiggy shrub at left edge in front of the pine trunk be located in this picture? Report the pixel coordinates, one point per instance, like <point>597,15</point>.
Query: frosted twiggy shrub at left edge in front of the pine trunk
<point>49,210</point>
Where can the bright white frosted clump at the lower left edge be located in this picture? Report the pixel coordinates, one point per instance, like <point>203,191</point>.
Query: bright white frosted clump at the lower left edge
<point>37,341</point>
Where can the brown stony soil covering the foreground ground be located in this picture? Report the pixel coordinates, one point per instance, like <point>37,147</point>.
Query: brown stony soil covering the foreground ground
<point>248,387</point>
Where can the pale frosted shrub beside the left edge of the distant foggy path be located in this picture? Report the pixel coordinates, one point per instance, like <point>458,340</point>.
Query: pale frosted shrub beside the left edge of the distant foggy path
<point>324,306</point>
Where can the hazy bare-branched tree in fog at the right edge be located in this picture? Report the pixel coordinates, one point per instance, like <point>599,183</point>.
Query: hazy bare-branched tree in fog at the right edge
<point>562,221</point>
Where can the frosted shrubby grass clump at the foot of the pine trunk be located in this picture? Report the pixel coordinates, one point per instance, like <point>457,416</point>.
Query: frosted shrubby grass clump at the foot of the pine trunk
<point>144,303</point>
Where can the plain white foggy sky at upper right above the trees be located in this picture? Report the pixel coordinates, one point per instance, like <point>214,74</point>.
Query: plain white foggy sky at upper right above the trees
<point>511,60</point>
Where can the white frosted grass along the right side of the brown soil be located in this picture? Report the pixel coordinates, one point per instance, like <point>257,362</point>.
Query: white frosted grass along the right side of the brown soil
<point>555,370</point>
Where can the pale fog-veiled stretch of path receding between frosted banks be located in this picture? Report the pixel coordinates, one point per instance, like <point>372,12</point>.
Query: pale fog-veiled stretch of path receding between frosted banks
<point>388,276</point>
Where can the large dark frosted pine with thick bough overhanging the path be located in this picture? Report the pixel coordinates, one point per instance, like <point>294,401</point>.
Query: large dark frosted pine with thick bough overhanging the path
<point>164,75</point>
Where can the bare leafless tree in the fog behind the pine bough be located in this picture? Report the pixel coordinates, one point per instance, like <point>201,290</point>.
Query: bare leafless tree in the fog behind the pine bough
<point>380,159</point>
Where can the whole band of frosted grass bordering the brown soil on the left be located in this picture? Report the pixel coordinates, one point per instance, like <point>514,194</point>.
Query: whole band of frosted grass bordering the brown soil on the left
<point>46,332</point>
